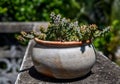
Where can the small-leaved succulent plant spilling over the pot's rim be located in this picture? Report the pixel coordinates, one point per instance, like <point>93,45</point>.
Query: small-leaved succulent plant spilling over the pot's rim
<point>62,29</point>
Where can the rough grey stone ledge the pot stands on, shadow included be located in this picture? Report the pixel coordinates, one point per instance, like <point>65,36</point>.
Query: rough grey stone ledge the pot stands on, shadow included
<point>103,72</point>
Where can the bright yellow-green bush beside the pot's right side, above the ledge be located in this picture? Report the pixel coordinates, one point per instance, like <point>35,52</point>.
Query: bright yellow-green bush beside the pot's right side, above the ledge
<point>111,42</point>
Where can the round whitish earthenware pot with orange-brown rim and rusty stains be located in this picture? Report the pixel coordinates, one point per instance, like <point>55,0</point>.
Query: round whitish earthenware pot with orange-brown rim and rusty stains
<point>63,60</point>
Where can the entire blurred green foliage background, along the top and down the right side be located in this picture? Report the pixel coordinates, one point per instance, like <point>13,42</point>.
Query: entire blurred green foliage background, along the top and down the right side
<point>100,12</point>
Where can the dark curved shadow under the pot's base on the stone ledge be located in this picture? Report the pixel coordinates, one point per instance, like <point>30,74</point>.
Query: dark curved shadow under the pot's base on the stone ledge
<point>33,73</point>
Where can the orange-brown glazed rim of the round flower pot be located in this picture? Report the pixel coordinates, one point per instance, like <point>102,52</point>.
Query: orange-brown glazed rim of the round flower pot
<point>59,43</point>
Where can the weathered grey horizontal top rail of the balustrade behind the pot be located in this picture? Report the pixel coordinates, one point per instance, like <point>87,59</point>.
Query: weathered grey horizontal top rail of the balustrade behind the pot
<point>13,27</point>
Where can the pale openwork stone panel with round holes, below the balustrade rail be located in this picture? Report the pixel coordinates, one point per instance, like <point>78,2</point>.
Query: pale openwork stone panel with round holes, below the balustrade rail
<point>10,61</point>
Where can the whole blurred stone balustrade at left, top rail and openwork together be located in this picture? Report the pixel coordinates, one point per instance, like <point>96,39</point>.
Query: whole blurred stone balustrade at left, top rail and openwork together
<point>11,54</point>
